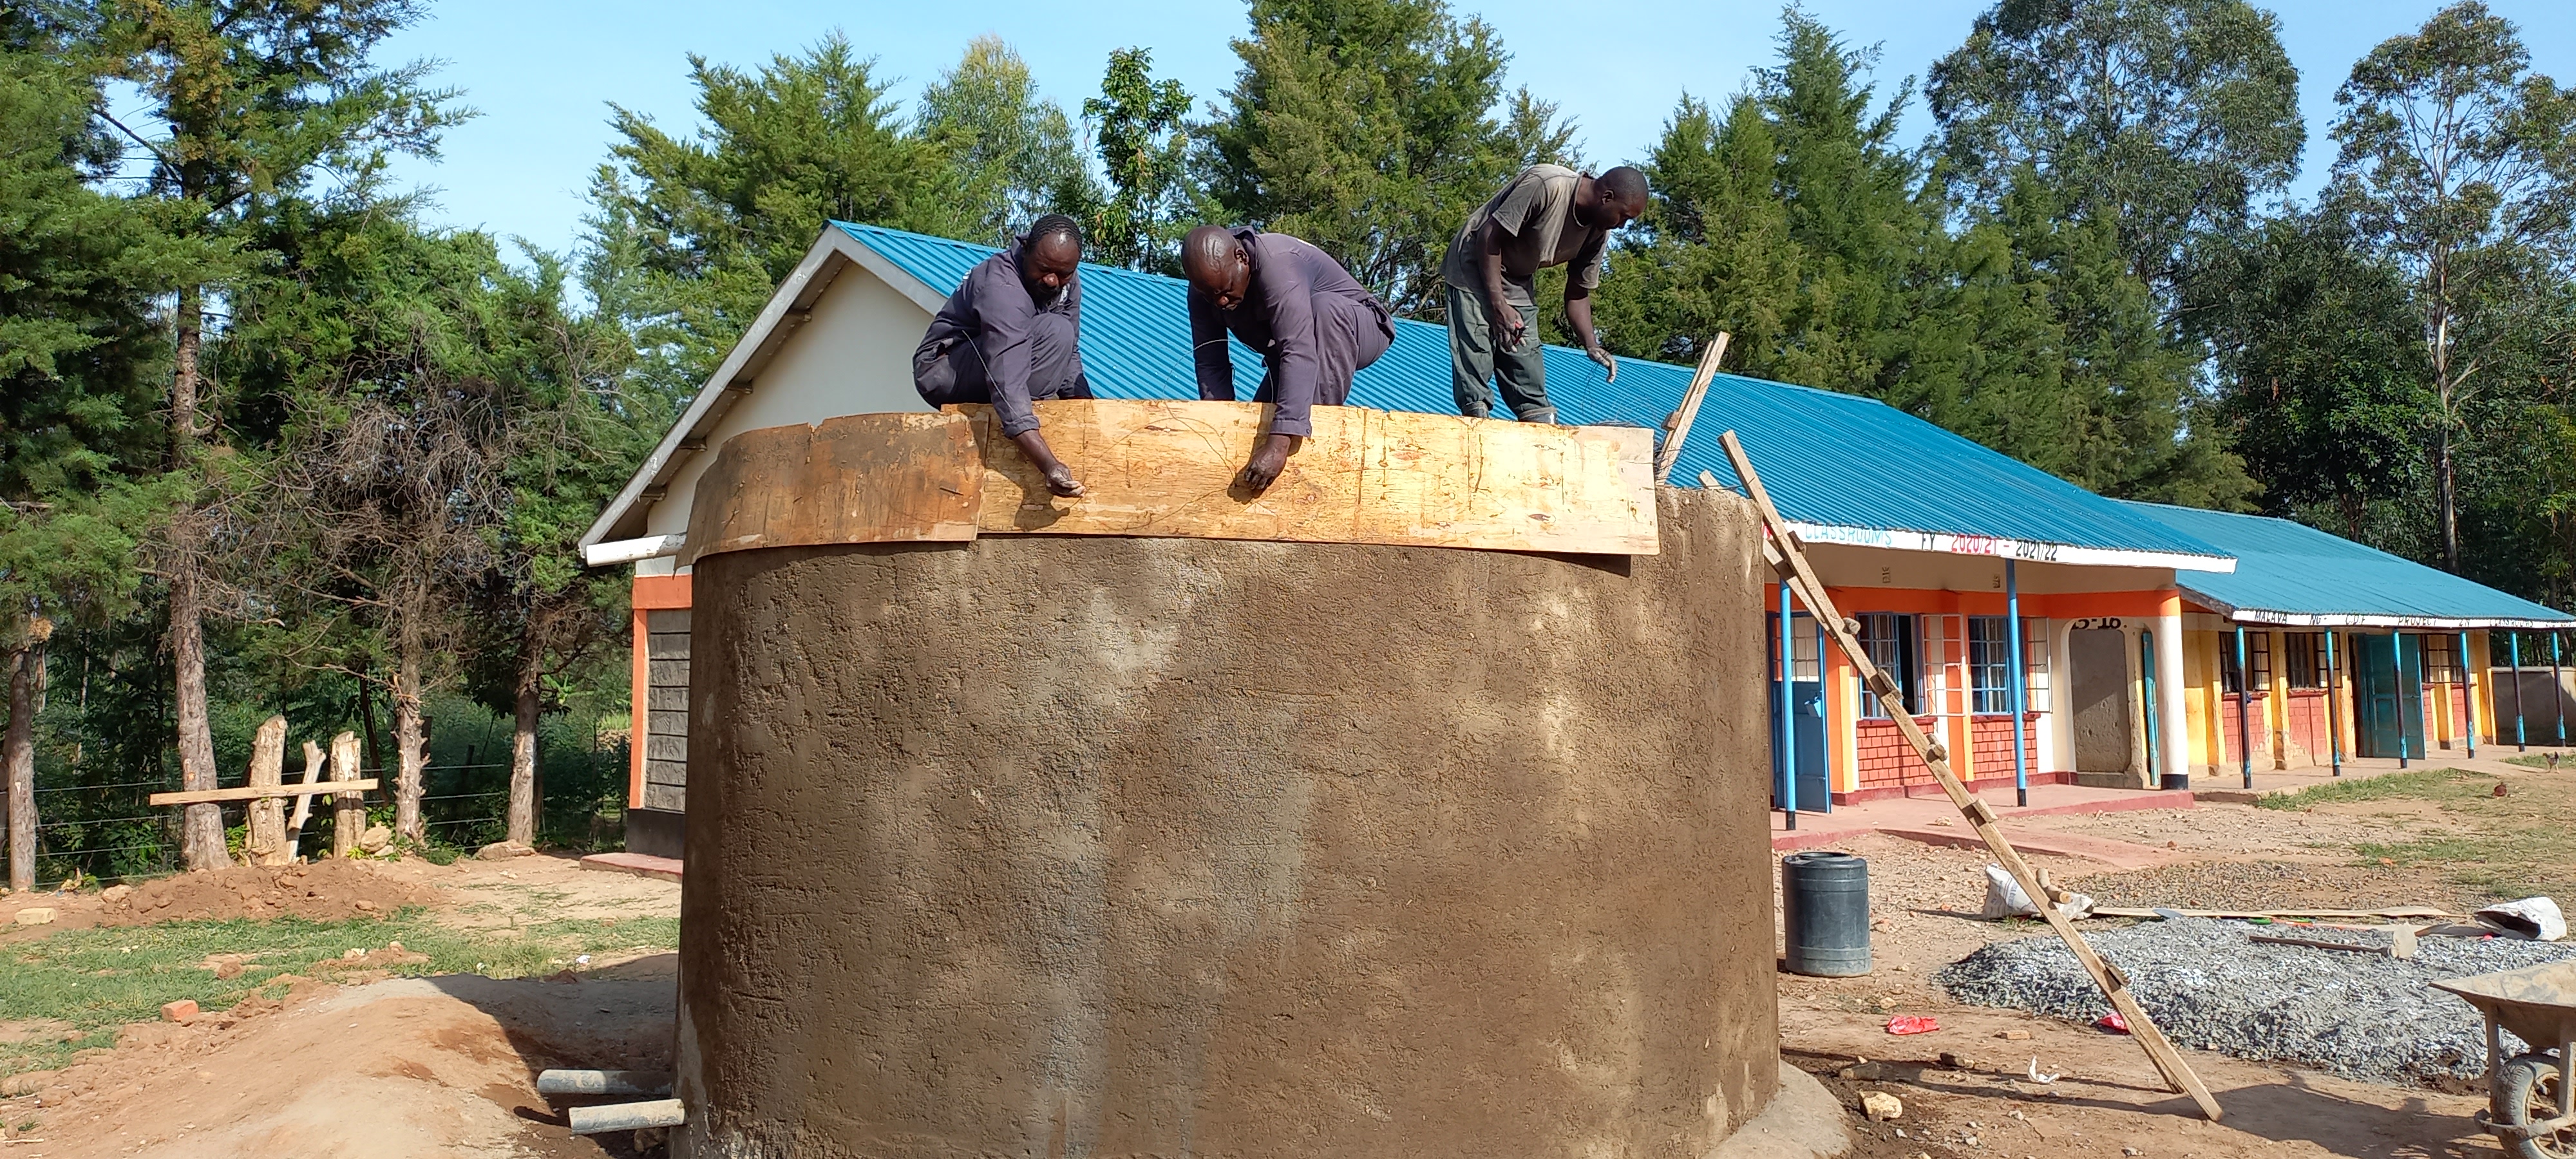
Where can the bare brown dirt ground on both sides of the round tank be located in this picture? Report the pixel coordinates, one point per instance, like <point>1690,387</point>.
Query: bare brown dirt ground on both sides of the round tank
<point>352,1062</point>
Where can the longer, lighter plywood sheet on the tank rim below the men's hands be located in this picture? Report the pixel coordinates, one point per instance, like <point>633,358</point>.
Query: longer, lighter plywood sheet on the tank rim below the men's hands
<point>1364,478</point>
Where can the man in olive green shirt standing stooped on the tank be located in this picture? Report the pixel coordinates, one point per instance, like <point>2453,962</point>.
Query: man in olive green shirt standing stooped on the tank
<point>1549,215</point>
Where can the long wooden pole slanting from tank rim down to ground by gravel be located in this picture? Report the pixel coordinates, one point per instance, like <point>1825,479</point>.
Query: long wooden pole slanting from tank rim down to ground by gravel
<point>1789,558</point>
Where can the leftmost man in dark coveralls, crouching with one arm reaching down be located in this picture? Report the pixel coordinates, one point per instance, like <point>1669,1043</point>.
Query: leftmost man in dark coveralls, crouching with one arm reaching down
<point>1014,336</point>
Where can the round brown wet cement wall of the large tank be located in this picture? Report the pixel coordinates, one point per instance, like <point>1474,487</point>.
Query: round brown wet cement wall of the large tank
<point>1078,846</point>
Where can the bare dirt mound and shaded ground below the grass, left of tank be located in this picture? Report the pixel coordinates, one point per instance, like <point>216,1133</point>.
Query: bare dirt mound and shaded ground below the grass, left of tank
<point>401,1068</point>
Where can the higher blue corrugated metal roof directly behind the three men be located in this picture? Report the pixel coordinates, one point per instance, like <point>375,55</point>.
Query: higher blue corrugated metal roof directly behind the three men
<point>1830,460</point>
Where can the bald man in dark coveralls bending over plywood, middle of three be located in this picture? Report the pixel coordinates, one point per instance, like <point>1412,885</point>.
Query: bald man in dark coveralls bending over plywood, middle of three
<point>1310,321</point>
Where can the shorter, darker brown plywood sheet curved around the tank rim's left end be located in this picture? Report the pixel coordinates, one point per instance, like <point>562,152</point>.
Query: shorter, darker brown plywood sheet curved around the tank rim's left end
<point>846,480</point>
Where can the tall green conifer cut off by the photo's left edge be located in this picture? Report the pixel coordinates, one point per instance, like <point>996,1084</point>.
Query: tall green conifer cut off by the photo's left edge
<point>79,359</point>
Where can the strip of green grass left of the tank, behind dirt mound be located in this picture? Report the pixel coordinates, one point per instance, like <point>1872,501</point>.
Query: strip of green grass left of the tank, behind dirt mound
<point>99,980</point>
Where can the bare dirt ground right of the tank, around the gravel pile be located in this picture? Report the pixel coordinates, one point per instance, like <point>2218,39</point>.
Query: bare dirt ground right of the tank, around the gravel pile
<point>1967,1088</point>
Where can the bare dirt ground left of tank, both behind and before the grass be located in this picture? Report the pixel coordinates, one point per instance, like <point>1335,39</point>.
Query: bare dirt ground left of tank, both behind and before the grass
<point>357,1062</point>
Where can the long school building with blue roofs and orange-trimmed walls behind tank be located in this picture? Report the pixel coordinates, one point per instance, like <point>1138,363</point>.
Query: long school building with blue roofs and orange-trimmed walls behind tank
<point>2044,632</point>
